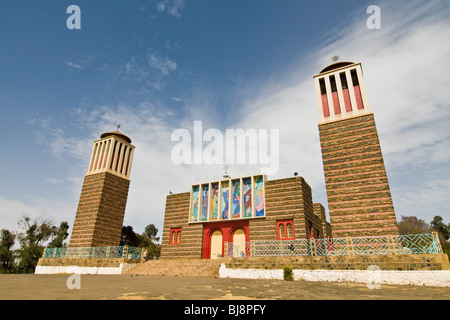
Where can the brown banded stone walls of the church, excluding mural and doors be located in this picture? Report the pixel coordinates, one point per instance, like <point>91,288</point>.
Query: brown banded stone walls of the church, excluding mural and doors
<point>287,199</point>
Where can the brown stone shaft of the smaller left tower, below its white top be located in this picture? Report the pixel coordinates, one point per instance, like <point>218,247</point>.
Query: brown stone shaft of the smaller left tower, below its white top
<point>101,209</point>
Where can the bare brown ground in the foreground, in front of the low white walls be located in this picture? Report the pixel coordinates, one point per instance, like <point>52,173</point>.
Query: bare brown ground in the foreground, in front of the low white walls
<point>132,287</point>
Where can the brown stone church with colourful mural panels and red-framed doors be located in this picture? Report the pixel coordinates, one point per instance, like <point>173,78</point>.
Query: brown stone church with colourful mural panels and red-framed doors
<point>199,223</point>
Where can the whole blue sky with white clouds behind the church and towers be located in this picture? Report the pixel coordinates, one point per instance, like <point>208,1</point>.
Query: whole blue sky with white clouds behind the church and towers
<point>157,65</point>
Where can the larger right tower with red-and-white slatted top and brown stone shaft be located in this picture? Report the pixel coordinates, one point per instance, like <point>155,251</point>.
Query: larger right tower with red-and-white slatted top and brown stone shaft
<point>359,197</point>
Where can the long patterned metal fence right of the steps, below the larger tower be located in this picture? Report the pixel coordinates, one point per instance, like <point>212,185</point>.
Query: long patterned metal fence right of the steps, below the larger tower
<point>390,244</point>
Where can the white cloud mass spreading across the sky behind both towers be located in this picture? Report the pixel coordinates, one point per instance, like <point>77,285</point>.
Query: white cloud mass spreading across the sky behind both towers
<point>404,66</point>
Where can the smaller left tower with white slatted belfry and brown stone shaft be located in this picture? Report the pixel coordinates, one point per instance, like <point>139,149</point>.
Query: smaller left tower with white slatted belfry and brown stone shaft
<point>101,209</point>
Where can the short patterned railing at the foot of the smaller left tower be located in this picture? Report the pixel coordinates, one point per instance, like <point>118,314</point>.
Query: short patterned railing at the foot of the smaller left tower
<point>94,252</point>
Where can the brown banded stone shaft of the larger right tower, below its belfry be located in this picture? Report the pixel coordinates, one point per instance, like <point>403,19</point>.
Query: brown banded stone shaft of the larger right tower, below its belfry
<point>359,197</point>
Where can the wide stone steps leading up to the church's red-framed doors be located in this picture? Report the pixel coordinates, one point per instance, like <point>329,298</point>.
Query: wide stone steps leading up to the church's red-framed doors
<point>177,267</point>
